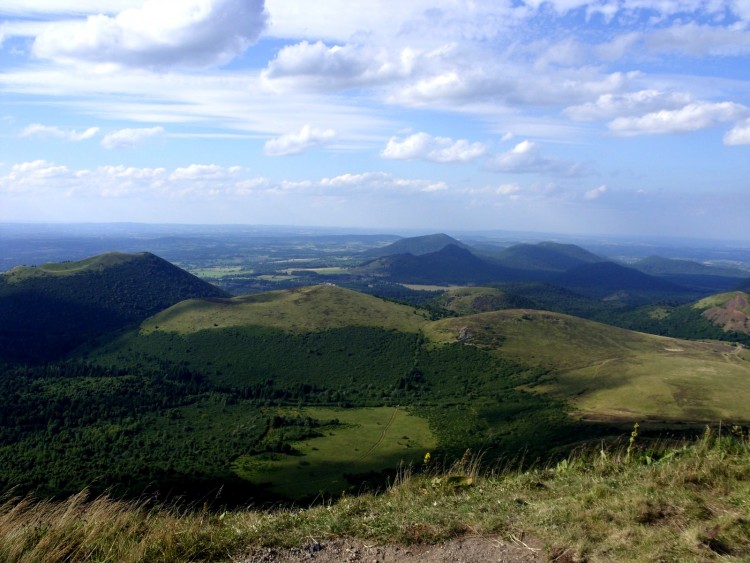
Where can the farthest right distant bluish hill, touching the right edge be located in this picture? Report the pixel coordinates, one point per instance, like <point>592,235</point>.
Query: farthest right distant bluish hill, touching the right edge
<point>697,276</point>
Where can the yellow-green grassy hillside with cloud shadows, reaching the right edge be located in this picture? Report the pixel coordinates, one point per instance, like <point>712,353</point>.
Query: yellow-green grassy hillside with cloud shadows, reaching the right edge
<point>608,372</point>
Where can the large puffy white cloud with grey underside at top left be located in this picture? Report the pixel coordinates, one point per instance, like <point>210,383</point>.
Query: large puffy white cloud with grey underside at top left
<point>161,33</point>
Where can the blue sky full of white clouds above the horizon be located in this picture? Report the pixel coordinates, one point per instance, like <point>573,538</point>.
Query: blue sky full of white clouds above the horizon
<point>600,117</point>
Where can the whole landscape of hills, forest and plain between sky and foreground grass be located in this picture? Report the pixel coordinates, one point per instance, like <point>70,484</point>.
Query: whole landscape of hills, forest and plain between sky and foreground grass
<point>316,366</point>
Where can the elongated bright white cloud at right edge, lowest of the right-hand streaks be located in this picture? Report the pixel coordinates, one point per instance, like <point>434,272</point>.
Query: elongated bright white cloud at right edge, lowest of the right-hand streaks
<point>692,117</point>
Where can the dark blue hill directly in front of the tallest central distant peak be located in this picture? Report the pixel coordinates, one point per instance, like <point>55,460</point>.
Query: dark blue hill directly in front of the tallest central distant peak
<point>451,264</point>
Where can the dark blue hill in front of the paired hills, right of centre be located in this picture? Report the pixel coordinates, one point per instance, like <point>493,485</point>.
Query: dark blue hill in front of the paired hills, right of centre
<point>607,280</point>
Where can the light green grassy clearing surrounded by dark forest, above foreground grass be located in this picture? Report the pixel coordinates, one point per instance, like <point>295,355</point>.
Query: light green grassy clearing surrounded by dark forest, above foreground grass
<point>368,440</point>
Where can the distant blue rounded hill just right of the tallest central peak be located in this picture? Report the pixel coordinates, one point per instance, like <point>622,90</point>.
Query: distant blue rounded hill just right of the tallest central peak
<point>545,257</point>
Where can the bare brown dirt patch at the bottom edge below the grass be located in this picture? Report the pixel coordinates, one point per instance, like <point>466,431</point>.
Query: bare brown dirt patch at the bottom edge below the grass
<point>464,550</point>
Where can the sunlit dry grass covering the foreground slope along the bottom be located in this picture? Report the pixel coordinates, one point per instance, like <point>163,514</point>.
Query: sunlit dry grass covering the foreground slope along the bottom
<point>662,502</point>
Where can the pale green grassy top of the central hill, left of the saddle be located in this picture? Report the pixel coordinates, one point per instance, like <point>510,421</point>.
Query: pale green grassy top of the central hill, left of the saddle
<point>306,309</point>
